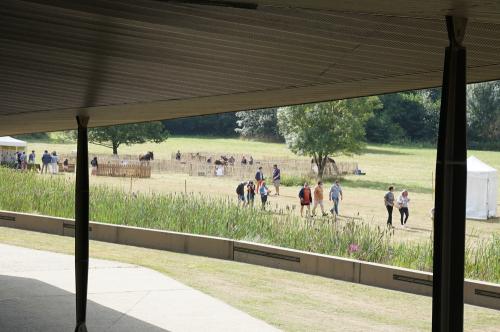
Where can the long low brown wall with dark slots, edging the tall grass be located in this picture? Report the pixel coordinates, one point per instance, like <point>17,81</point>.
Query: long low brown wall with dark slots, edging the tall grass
<point>384,276</point>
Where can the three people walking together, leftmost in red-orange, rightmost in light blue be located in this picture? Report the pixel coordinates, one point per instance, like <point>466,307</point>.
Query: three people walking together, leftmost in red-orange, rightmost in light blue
<point>316,198</point>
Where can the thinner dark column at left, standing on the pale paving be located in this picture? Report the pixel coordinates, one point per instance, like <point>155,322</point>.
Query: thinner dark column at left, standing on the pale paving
<point>81,224</point>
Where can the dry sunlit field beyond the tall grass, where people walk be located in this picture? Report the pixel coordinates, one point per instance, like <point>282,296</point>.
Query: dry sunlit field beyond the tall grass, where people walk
<point>404,167</point>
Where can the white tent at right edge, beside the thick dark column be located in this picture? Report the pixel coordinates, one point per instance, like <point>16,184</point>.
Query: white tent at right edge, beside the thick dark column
<point>481,190</point>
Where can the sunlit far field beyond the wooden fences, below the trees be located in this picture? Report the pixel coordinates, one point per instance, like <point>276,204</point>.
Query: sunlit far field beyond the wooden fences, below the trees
<point>384,164</point>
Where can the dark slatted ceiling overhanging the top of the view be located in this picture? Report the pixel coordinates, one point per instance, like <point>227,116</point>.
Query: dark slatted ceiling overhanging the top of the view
<point>122,61</point>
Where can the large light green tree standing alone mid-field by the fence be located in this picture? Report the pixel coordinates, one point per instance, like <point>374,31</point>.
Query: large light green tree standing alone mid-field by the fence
<point>327,129</point>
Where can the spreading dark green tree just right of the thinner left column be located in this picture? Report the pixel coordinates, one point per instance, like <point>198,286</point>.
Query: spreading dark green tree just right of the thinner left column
<point>114,136</point>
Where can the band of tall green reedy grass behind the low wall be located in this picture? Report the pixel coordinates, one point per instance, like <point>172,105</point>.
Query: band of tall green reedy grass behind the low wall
<point>198,214</point>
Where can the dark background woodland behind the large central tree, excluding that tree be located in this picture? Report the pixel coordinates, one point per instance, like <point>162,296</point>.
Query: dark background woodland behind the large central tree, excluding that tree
<point>410,117</point>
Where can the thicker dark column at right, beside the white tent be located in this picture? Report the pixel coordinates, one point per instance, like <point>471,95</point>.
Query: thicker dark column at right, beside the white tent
<point>451,182</point>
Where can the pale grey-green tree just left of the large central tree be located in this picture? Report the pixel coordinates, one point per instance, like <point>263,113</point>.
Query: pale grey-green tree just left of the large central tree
<point>260,124</point>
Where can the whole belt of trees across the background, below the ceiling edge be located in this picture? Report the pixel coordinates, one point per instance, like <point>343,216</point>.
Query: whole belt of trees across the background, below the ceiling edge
<point>410,117</point>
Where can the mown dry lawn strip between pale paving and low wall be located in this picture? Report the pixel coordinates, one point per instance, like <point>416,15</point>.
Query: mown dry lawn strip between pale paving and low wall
<point>290,301</point>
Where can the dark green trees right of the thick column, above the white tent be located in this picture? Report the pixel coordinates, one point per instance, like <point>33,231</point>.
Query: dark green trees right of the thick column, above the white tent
<point>483,111</point>
